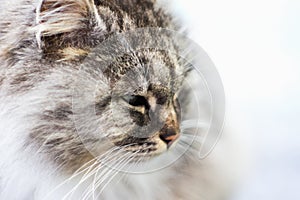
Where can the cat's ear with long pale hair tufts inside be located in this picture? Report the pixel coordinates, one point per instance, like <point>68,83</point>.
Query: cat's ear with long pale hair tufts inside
<point>65,20</point>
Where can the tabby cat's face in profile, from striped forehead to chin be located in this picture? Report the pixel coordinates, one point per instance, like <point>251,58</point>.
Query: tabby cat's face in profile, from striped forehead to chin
<point>139,109</point>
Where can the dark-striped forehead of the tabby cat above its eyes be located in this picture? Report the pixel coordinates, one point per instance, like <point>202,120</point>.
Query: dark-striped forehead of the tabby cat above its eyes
<point>138,71</point>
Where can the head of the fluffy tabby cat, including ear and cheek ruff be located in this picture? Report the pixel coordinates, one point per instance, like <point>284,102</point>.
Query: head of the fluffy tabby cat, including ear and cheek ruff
<point>105,95</point>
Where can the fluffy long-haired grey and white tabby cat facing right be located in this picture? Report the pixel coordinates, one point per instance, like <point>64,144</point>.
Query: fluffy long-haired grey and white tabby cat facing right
<point>79,120</point>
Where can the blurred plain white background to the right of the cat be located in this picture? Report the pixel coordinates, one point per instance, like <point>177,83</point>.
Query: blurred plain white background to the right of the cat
<point>255,45</point>
